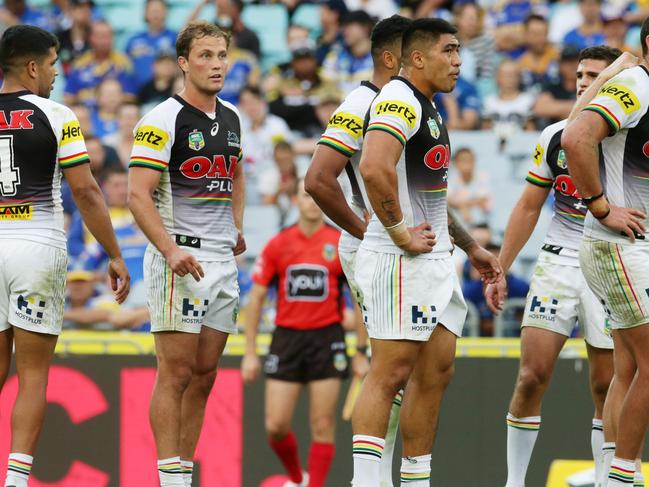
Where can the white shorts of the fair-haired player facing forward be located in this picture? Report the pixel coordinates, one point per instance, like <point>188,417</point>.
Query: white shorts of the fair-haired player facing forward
<point>182,304</point>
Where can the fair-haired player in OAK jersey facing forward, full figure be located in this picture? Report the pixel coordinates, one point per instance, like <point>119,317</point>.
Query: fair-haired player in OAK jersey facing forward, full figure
<point>186,191</point>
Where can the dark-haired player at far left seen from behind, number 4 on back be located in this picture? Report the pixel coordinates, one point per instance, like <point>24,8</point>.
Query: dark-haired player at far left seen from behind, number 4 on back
<point>39,141</point>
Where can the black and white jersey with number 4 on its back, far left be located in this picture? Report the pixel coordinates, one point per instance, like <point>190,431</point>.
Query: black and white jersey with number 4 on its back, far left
<point>38,138</point>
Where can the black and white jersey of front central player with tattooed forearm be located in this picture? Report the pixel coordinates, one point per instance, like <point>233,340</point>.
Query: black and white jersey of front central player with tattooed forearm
<point>401,110</point>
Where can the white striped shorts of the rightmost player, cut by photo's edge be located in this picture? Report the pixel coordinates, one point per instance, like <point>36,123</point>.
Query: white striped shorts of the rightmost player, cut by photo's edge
<point>618,274</point>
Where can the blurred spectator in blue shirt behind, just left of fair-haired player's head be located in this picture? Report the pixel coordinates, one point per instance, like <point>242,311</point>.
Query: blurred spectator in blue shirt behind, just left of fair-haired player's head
<point>145,47</point>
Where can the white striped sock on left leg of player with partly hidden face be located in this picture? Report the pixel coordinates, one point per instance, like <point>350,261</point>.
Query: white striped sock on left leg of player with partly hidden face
<point>521,436</point>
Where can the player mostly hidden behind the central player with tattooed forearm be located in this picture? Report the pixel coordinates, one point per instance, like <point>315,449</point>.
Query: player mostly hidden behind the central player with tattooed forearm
<point>338,150</point>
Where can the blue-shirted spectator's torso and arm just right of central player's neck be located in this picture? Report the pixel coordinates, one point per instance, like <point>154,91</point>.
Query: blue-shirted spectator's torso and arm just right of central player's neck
<point>460,108</point>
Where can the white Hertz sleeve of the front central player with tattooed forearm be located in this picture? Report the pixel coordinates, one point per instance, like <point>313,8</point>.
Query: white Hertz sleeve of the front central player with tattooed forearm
<point>395,111</point>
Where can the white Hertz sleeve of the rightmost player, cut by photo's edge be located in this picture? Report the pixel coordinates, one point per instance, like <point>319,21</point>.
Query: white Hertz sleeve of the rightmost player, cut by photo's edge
<point>621,102</point>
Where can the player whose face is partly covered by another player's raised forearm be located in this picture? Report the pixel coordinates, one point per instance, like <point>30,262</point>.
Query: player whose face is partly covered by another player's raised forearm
<point>559,297</point>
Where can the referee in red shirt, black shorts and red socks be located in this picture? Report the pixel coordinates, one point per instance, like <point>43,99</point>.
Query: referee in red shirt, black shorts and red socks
<point>308,347</point>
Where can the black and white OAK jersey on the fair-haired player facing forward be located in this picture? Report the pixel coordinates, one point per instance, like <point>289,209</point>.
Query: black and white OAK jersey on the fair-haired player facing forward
<point>197,155</point>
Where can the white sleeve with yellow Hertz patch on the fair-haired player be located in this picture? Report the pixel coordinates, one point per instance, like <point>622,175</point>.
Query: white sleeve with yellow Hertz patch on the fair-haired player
<point>152,142</point>
